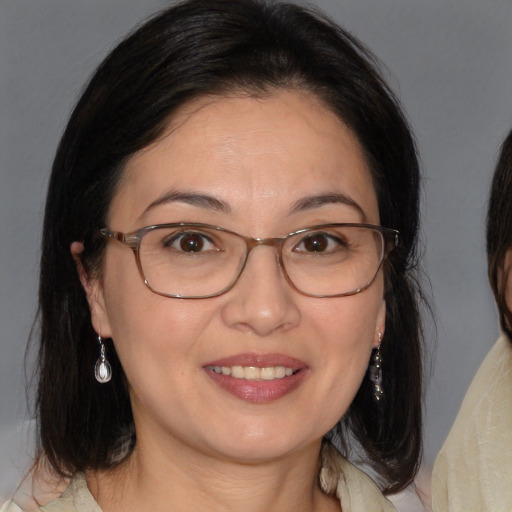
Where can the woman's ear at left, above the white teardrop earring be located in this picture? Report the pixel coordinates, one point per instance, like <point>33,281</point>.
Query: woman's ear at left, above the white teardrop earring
<point>94,292</point>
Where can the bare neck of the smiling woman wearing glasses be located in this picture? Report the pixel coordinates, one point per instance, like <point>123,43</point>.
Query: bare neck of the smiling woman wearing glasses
<point>182,479</point>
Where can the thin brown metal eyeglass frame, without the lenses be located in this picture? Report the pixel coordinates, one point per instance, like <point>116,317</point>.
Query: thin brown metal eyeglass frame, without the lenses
<point>133,239</point>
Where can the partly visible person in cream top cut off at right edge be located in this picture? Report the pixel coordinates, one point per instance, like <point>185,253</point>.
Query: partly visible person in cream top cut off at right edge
<point>473,471</point>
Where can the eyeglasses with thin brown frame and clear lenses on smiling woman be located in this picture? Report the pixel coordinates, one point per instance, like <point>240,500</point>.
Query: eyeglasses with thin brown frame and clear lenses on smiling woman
<point>194,261</point>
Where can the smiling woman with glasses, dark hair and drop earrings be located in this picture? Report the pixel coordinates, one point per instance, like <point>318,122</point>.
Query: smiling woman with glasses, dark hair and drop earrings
<point>264,327</point>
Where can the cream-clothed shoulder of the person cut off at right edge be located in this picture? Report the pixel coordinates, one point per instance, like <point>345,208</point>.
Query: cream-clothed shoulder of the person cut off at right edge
<point>473,467</point>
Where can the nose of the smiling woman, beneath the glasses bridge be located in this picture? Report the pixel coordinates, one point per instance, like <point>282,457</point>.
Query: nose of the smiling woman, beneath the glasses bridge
<point>262,301</point>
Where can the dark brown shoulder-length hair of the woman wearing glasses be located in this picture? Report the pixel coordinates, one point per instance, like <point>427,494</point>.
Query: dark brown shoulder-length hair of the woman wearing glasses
<point>195,48</point>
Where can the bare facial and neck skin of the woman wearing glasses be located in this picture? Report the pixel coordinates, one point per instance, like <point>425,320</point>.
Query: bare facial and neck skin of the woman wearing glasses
<point>198,446</point>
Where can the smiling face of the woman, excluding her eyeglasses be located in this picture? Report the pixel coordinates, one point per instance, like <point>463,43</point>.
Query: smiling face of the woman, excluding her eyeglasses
<point>259,159</point>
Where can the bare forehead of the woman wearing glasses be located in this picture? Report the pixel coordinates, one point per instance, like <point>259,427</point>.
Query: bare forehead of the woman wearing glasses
<point>257,155</point>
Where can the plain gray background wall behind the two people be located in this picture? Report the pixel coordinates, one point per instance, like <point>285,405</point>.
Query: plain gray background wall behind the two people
<point>450,63</point>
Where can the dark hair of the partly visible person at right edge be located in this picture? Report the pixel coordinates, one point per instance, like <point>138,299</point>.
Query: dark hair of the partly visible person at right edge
<point>499,233</point>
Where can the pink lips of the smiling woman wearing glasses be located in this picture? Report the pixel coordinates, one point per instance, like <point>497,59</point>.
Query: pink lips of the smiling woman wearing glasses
<point>259,391</point>
